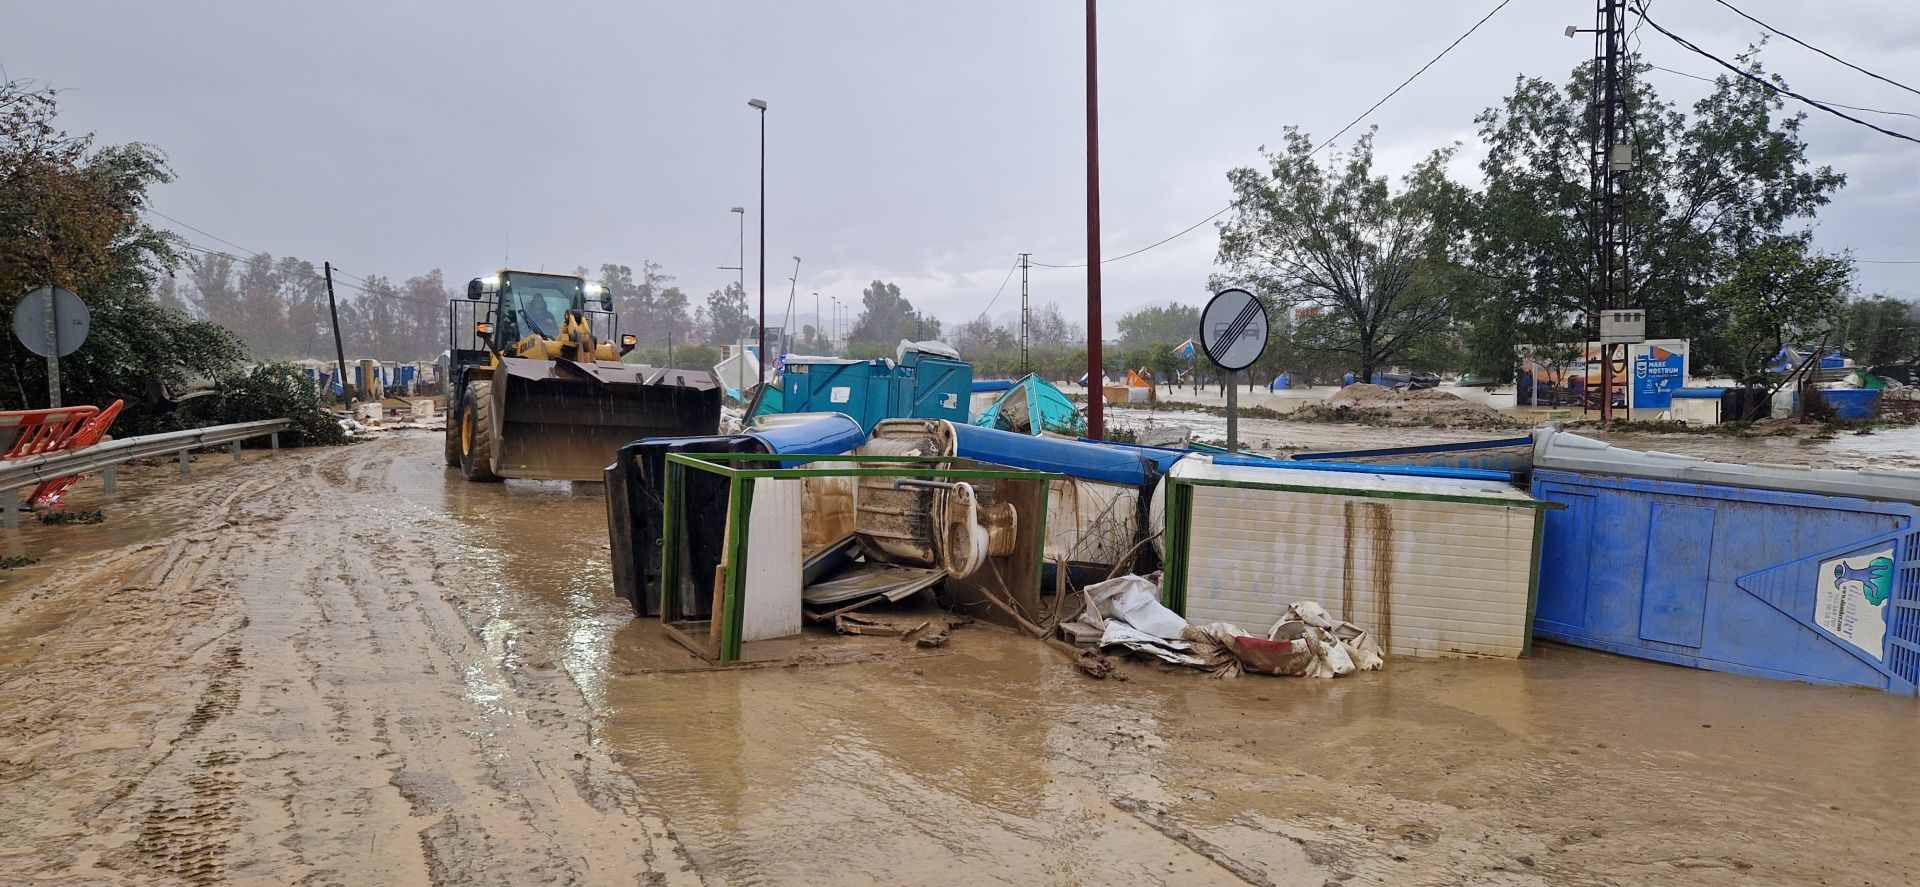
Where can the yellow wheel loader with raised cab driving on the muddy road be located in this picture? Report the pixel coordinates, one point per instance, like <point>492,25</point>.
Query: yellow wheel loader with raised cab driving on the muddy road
<point>537,387</point>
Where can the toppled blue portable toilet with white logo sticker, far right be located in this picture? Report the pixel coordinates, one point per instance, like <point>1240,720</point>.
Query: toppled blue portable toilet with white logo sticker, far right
<point>1773,571</point>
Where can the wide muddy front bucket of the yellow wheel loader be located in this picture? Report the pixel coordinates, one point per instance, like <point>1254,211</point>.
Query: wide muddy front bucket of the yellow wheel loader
<point>567,420</point>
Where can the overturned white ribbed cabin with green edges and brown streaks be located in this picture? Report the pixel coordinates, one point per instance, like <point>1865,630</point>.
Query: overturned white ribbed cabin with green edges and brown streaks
<point>1435,563</point>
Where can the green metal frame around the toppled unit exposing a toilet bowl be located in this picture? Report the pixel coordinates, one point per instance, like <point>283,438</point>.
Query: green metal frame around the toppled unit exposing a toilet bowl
<point>740,510</point>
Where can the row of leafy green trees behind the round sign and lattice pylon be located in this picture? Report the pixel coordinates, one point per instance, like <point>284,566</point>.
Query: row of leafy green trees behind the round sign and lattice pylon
<point>1364,274</point>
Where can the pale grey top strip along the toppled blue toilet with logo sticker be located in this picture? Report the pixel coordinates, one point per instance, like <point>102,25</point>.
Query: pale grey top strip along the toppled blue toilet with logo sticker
<point>1572,452</point>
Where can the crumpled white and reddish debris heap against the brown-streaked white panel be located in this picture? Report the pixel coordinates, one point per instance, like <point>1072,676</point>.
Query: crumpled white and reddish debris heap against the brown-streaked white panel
<point>1307,640</point>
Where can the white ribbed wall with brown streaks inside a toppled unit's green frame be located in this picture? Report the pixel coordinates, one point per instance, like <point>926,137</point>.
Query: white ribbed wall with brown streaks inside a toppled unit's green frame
<point>1429,579</point>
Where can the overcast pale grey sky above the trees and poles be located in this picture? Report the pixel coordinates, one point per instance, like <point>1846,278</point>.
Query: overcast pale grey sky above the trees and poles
<point>907,141</point>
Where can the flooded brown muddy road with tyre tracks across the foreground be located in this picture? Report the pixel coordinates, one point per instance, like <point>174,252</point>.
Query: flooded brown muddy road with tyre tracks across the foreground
<point>352,667</point>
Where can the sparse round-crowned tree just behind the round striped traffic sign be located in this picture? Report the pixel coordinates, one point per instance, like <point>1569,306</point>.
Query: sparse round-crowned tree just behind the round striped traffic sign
<point>1374,262</point>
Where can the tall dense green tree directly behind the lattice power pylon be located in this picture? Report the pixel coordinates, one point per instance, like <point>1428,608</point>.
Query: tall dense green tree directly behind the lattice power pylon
<point>1704,191</point>
